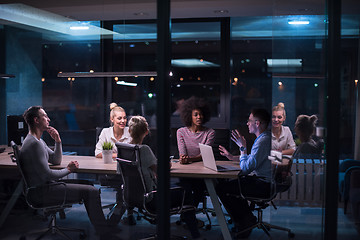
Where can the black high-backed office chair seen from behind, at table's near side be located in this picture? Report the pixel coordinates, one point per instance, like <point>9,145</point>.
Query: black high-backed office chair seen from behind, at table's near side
<point>134,188</point>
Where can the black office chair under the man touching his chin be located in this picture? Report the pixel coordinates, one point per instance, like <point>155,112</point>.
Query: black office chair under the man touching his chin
<point>48,209</point>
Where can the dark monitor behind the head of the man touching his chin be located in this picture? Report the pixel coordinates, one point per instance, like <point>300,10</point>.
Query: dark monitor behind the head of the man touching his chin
<point>16,129</point>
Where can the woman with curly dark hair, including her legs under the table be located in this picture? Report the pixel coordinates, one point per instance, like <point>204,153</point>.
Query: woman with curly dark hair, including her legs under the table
<point>194,112</point>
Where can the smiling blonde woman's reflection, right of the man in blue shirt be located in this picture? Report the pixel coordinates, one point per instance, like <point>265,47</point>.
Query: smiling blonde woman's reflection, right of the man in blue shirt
<point>282,139</point>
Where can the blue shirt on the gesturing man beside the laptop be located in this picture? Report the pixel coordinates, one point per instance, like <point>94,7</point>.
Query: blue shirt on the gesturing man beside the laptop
<point>258,162</point>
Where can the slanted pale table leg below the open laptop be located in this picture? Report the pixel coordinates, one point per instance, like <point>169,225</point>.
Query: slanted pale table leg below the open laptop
<point>216,204</point>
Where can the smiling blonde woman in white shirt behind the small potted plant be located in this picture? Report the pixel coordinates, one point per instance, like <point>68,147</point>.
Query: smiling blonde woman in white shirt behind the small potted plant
<point>117,132</point>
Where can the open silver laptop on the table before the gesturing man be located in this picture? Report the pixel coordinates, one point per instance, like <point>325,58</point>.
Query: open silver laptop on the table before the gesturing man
<point>207,155</point>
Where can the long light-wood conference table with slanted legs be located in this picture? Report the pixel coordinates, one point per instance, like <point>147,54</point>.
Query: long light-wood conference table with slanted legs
<point>90,164</point>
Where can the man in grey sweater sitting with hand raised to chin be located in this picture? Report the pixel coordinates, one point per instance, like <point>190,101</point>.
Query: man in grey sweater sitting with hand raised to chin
<point>36,156</point>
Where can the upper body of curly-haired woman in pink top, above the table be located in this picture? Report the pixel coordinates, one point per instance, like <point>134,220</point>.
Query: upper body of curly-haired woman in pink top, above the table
<point>194,112</point>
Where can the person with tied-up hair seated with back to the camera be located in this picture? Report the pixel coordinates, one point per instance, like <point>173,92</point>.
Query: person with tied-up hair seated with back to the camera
<point>139,128</point>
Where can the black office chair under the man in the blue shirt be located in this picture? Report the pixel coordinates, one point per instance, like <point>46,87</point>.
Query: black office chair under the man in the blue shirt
<point>281,182</point>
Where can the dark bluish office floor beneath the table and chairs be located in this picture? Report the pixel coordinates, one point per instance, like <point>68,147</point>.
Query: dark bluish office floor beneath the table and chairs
<point>305,223</point>
